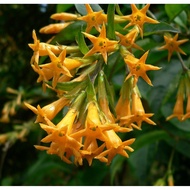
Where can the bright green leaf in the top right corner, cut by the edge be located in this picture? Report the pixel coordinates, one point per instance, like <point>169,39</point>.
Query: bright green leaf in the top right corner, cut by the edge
<point>173,10</point>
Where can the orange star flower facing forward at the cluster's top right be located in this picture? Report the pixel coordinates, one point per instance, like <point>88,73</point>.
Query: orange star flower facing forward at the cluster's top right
<point>138,18</point>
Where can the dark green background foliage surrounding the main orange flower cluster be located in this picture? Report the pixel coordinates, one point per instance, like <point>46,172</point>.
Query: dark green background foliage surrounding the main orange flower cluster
<point>160,154</point>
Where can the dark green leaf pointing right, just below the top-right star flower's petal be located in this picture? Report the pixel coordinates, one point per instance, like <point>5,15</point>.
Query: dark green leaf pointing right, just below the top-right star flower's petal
<point>158,28</point>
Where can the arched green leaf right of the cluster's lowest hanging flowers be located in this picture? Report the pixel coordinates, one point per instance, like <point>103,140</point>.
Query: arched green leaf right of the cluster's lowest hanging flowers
<point>148,138</point>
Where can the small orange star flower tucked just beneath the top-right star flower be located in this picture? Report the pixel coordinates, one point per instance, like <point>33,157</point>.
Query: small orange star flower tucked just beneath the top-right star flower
<point>128,40</point>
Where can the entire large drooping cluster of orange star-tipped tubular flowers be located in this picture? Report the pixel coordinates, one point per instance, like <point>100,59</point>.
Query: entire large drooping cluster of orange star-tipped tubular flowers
<point>93,120</point>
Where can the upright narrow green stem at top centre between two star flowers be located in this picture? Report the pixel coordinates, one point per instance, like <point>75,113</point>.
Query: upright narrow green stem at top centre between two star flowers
<point>110,27</point>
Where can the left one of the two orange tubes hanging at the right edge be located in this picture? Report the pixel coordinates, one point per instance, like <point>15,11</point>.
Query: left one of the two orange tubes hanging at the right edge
<point>178,109</point>
